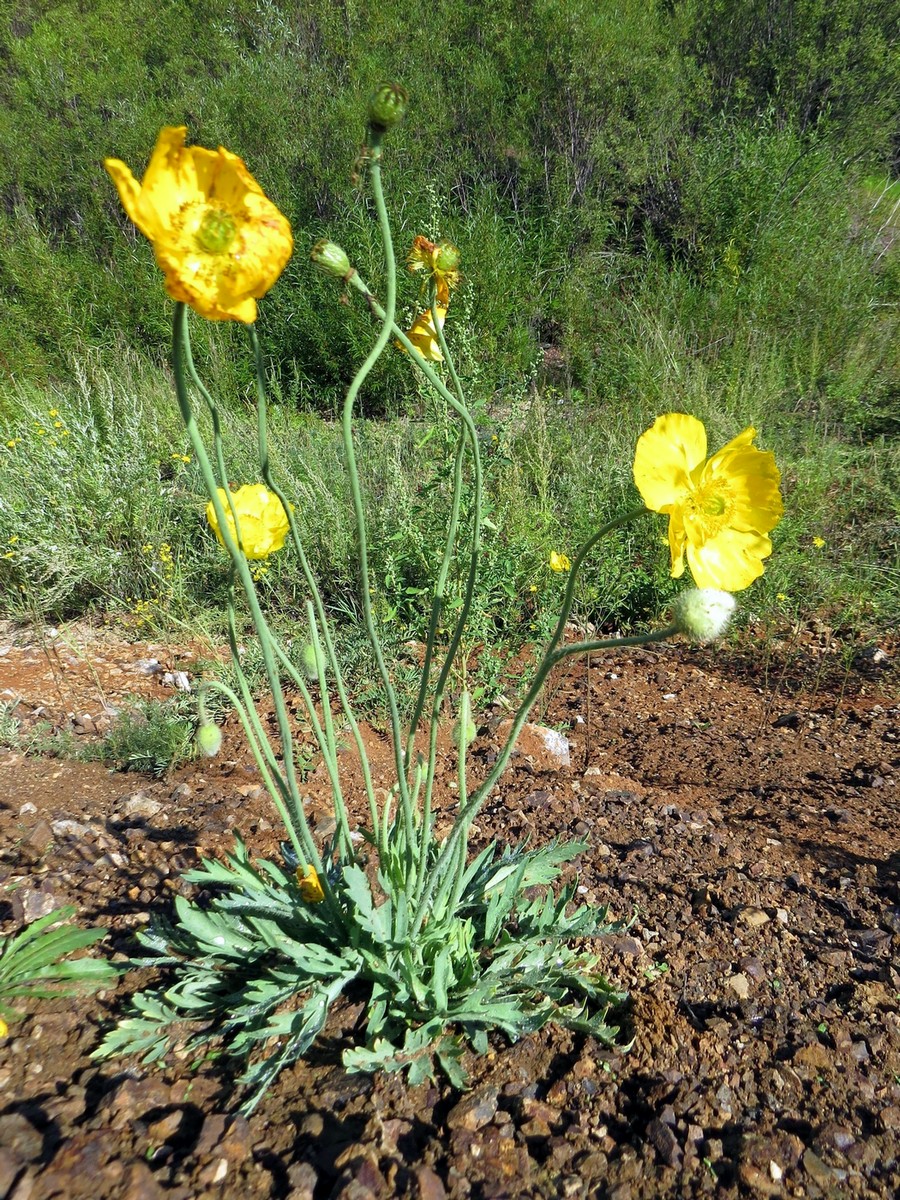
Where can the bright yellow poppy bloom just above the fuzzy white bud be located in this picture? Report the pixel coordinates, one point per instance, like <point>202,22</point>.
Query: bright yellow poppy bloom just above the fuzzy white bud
<point>719,509</point>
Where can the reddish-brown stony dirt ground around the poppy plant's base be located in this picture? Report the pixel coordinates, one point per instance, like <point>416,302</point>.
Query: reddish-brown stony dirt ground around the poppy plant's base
<point>743,806</point>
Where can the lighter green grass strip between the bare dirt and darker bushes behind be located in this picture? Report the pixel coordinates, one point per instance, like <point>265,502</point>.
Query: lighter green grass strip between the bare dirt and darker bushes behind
<point>128,535</point>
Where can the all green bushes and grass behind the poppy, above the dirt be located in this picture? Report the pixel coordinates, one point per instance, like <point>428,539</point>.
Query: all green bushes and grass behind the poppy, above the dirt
<point>675,206</point>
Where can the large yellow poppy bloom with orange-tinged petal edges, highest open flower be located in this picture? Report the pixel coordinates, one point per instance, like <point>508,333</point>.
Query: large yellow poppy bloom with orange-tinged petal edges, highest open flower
<point>220,242</point>
